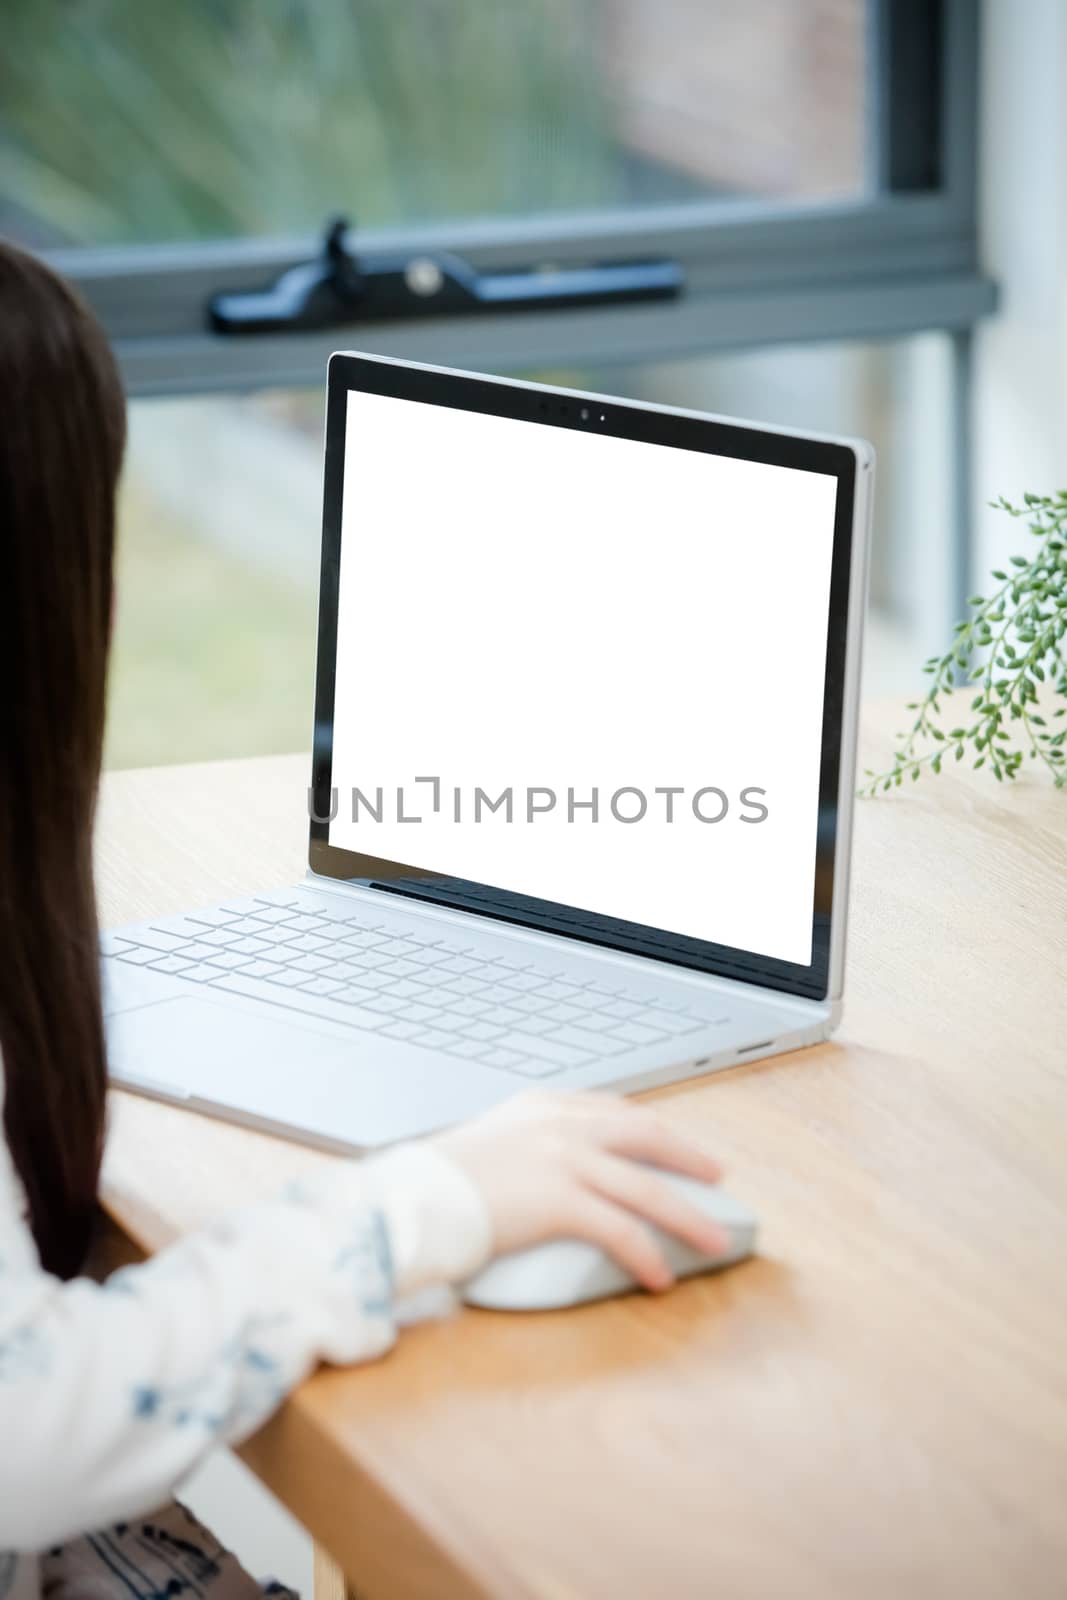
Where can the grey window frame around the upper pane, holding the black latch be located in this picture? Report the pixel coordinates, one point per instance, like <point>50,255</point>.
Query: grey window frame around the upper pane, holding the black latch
<point>900,262</point>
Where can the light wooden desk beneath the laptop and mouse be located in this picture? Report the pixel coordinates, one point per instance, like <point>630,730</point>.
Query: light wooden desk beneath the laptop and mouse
<point>877,1407</point>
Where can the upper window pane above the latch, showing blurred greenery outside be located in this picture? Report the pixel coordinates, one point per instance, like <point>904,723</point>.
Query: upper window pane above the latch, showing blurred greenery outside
<point>127,122</point>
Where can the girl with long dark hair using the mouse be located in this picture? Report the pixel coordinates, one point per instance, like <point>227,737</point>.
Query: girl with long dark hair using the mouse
<point>111,1394</point>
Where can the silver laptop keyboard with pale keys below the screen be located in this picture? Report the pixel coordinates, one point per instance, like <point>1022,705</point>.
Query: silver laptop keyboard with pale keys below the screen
<point>516,1012</point>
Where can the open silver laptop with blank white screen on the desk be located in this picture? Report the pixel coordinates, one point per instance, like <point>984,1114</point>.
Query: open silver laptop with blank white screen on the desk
<point>583,770</point>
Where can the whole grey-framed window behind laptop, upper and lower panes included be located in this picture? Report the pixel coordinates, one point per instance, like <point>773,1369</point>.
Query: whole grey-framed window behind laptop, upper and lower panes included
<point>807,164</point>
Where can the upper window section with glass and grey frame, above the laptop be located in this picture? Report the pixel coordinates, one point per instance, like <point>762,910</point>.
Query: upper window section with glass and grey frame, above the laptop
<point>809,164</point>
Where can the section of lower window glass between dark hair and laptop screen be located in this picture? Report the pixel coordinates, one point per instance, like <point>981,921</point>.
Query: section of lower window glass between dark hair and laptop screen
<point>217,580</point>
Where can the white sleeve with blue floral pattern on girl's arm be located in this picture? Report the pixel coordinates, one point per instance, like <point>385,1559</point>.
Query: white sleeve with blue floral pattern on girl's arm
<point>111,1394</point>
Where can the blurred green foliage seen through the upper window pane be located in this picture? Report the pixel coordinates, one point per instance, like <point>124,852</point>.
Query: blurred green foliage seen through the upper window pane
<point>138,121</point>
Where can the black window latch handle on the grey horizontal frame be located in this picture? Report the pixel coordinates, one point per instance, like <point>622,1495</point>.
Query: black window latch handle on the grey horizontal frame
<point>342,289</point>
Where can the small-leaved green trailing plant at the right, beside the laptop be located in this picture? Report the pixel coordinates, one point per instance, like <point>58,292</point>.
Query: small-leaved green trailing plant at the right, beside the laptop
<point>1012,652</point>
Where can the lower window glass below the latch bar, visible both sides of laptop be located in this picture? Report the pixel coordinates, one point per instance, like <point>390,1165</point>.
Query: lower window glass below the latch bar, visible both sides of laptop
<point>218,562</point>
